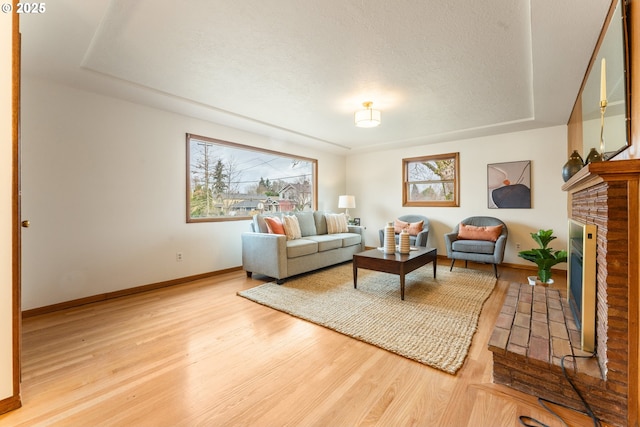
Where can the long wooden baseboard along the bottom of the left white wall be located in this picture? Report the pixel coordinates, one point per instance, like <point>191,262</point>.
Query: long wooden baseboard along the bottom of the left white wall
<point>121,293</point>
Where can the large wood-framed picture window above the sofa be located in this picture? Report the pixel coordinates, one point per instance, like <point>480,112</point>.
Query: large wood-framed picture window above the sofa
<point>229,181</point>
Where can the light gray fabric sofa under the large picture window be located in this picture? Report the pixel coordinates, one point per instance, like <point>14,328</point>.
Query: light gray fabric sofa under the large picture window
<point>274,256</point>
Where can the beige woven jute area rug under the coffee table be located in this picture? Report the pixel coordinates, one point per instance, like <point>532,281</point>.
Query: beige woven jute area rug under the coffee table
<point>434,325</point>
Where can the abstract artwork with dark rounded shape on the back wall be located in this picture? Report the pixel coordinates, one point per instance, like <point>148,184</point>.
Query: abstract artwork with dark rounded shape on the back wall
<point>509,185</point>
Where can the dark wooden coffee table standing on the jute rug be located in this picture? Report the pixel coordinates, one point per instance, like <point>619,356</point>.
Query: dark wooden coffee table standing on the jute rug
<point>396,263</point>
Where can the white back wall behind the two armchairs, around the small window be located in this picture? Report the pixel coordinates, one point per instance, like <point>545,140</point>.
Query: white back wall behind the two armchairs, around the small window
<point>376,181</point>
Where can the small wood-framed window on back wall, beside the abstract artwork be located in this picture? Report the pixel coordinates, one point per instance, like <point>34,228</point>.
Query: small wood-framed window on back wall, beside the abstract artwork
<point>431,180</point>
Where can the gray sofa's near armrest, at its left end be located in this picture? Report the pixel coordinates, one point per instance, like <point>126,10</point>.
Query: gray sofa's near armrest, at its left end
<point>264,254</point>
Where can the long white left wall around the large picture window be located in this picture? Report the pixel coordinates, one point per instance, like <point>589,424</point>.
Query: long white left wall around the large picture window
<point>103,184</point>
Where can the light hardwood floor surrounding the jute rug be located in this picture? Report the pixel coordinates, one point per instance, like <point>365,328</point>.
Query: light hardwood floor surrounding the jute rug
<point>199,355</point>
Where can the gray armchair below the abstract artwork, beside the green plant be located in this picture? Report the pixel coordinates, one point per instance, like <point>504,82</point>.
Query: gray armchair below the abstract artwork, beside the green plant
<point>484,251</point>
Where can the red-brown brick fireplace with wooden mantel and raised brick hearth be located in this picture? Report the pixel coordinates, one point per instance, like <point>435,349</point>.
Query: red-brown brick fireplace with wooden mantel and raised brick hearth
<point>535,327</point>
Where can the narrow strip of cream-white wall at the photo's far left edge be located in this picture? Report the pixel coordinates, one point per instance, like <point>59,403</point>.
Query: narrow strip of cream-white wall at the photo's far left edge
<point>6,168</point>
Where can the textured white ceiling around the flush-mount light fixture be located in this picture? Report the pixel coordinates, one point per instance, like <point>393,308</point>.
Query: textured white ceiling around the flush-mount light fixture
<point>298,69</point>
